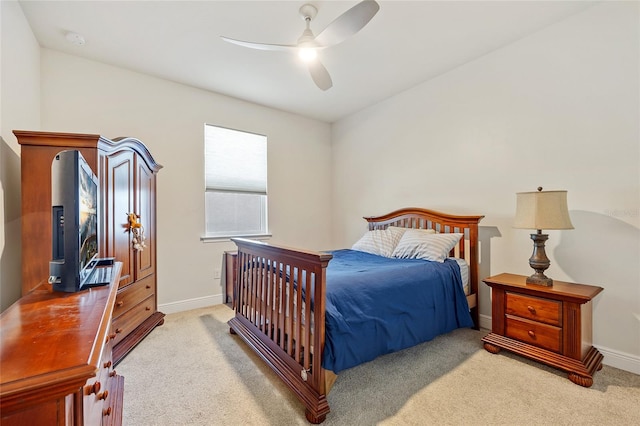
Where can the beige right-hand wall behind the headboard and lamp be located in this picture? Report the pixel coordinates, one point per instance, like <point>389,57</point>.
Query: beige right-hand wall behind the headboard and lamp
<point>558,109</point>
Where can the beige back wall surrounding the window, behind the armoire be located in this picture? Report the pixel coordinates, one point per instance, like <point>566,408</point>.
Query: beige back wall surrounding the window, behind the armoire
<point>84,96</point>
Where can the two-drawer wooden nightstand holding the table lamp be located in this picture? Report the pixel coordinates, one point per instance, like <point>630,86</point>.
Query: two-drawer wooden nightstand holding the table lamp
<point>551,325</point>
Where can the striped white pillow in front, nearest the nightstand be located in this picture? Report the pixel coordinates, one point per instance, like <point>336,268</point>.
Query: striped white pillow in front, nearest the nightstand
<point>428,246</point>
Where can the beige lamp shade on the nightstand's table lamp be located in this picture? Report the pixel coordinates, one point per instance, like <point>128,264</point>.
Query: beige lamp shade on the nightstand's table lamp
<point>542,210</point>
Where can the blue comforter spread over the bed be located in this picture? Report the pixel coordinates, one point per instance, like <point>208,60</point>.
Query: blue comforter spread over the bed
<point>377,305</point>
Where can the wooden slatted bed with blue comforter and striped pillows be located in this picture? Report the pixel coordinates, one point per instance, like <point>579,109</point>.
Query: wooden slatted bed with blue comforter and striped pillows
<point>310,314</point>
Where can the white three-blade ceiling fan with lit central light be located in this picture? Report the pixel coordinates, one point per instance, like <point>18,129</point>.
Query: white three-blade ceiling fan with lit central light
<point>308,45</point>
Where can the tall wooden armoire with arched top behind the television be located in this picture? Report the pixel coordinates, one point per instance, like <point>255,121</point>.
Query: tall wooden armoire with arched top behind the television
<point>127,174</point>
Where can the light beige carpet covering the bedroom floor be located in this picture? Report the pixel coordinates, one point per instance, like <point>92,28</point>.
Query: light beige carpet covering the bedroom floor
<point>192,371</point>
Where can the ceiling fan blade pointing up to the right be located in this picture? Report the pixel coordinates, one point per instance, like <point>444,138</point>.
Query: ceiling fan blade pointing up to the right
<point>349,23</point>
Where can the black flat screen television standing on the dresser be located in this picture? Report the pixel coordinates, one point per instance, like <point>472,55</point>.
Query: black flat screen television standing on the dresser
<point>75,207</point>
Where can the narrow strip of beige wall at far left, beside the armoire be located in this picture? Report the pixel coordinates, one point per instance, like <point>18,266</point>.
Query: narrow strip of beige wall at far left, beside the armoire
<point>19,109</point>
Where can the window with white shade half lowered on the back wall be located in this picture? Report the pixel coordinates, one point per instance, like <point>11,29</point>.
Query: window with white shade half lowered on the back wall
<point>235,182</point>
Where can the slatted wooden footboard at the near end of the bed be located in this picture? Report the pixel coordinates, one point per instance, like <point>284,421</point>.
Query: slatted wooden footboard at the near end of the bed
<point>278,318</point>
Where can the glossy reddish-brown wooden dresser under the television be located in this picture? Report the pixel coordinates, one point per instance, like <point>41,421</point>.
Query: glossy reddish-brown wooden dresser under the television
<point>56,357</point>
